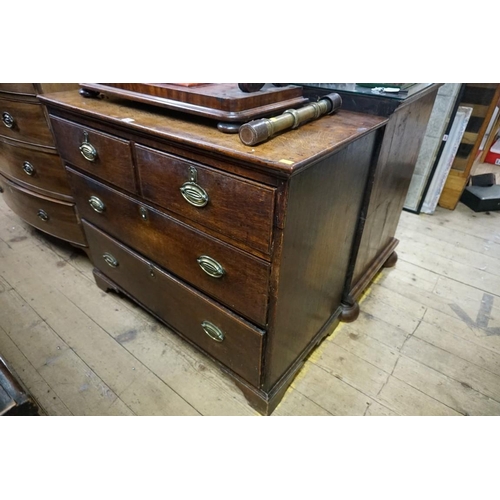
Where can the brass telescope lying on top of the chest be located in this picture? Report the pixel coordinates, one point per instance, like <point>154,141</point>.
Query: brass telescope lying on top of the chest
<point>256,131</point>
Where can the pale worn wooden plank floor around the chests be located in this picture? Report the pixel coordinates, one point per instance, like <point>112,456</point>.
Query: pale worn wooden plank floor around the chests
<point>427,341</point>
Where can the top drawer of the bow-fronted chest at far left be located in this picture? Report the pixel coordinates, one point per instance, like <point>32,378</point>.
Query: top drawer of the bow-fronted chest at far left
<point>24,121</point>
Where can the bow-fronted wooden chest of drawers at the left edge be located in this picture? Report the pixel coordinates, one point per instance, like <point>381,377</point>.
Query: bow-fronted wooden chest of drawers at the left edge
<point>32,176</point>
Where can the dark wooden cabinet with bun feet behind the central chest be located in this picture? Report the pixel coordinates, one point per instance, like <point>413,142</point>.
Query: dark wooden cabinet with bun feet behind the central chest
<point>408,113</point>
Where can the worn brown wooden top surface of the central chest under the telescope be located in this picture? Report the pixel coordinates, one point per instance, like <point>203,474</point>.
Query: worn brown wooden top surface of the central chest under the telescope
<point>282,155</point>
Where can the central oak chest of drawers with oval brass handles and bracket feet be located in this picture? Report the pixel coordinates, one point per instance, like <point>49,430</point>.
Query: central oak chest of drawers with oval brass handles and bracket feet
<point>243,251</point>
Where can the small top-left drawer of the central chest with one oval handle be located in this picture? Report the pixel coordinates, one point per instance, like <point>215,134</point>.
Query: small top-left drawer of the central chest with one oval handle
<point>112,156</point>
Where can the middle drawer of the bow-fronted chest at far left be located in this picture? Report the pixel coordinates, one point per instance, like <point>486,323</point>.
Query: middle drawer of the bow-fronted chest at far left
<point>35,168</point>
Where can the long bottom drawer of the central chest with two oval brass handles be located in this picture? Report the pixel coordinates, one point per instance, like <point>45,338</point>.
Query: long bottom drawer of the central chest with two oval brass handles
<point>184,309</point>
